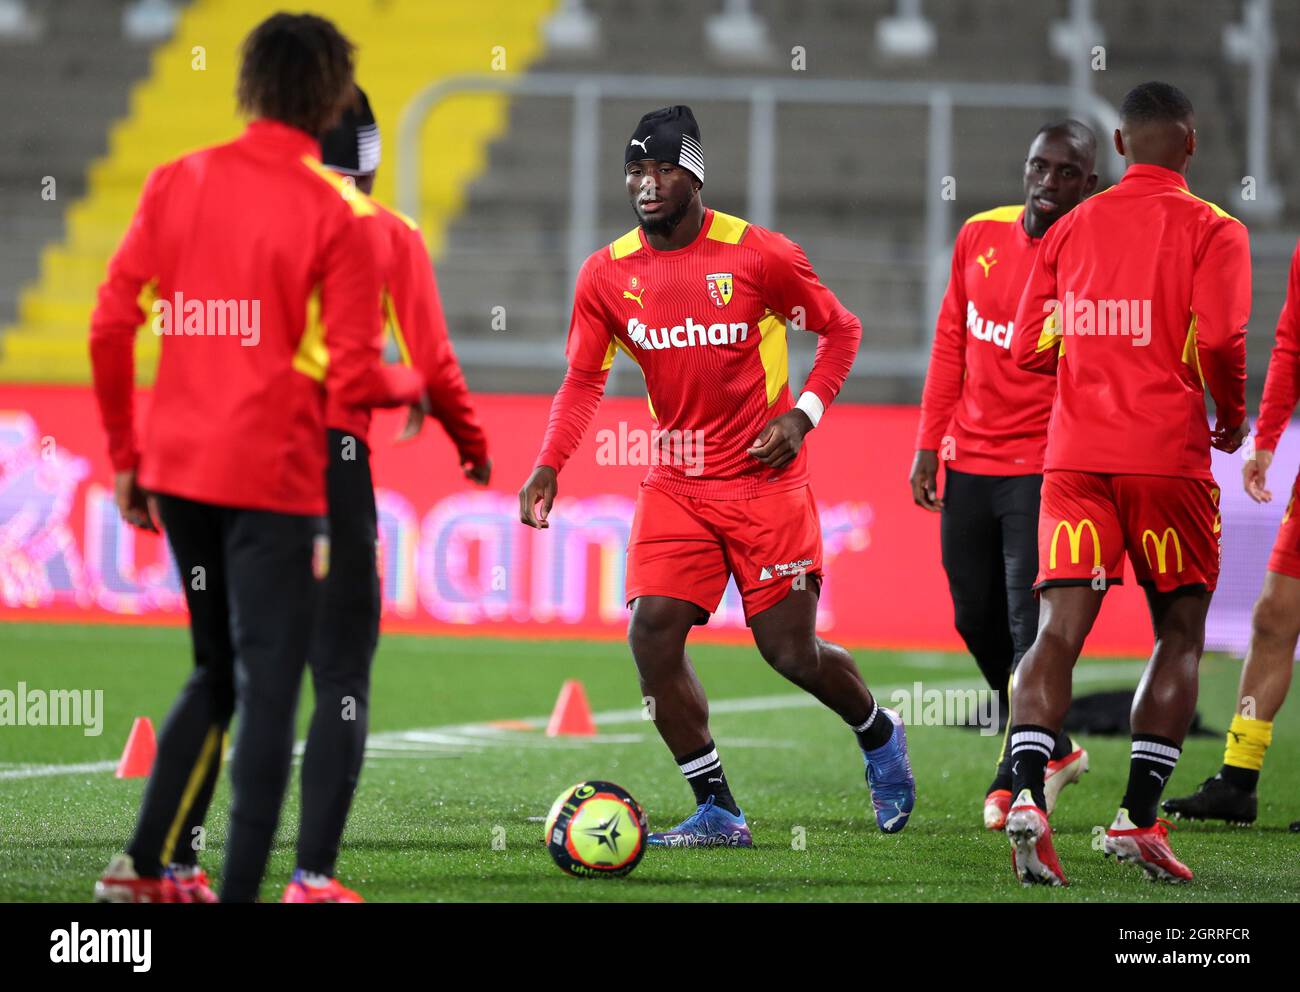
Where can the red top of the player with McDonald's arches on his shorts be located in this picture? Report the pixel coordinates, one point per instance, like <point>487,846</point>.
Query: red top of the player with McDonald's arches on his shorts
<point>1138,301</point>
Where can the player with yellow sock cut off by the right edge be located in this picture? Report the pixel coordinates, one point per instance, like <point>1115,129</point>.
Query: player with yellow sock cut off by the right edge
<point>1276,626</point>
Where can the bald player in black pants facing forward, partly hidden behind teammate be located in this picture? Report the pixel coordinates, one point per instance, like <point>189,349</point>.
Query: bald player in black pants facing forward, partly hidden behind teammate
<point>990,421</point>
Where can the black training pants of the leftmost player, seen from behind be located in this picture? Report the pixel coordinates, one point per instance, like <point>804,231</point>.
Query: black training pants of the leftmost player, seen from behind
<point>252,591</point>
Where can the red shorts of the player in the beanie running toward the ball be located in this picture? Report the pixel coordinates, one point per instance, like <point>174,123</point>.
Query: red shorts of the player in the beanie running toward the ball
<point>686,548</point>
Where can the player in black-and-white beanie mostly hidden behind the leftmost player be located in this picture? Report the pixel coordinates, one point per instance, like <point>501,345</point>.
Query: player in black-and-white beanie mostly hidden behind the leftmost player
<point>348,625</point>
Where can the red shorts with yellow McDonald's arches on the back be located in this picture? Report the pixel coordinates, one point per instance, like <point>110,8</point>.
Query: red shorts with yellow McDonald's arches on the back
<point>1168,525</point>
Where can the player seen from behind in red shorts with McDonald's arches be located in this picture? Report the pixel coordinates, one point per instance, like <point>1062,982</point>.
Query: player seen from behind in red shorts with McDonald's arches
<point>1138,302</point>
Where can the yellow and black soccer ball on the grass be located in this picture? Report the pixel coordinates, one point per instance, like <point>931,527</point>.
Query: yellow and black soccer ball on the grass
<point>596,829</point>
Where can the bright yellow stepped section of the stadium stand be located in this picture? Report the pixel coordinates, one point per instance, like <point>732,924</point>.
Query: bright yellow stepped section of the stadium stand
<point>188,101</point>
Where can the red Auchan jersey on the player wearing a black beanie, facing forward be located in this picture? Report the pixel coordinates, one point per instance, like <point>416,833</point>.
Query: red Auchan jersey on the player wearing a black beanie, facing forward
<point>707,326</point>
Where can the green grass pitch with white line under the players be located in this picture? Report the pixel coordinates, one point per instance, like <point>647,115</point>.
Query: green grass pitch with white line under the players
<point>445,802</point>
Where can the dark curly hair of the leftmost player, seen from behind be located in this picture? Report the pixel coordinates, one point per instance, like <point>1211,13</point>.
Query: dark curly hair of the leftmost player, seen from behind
<point>297,70</point>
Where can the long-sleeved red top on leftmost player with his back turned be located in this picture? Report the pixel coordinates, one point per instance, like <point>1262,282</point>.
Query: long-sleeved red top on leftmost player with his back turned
<point>265,271</point>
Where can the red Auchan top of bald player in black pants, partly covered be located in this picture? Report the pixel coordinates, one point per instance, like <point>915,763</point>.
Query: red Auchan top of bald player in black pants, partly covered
<point>995,413</point>
